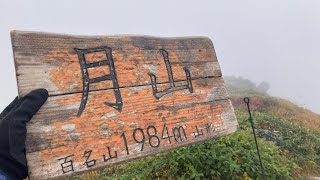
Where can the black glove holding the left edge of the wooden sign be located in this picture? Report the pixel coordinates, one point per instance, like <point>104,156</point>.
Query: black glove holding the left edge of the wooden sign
<point>13,130</point>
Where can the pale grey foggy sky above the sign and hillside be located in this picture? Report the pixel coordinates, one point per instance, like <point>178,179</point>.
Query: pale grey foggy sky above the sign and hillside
<point>274,41</point>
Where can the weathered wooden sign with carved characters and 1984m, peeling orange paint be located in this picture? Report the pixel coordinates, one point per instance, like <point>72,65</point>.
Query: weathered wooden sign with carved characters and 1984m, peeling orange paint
<point>117,98</point>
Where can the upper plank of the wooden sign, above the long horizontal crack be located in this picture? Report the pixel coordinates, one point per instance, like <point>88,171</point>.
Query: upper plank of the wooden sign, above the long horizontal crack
<point>51,61</point>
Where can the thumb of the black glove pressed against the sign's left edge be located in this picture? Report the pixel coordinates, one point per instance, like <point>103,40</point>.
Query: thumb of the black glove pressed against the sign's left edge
<point>30,105</point>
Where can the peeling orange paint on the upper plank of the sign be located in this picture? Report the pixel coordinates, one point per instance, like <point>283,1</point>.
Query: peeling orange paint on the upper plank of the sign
<point>131,68</point>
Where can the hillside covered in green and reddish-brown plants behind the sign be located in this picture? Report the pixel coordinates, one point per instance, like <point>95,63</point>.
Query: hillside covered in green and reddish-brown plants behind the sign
<point>289,140</point>
